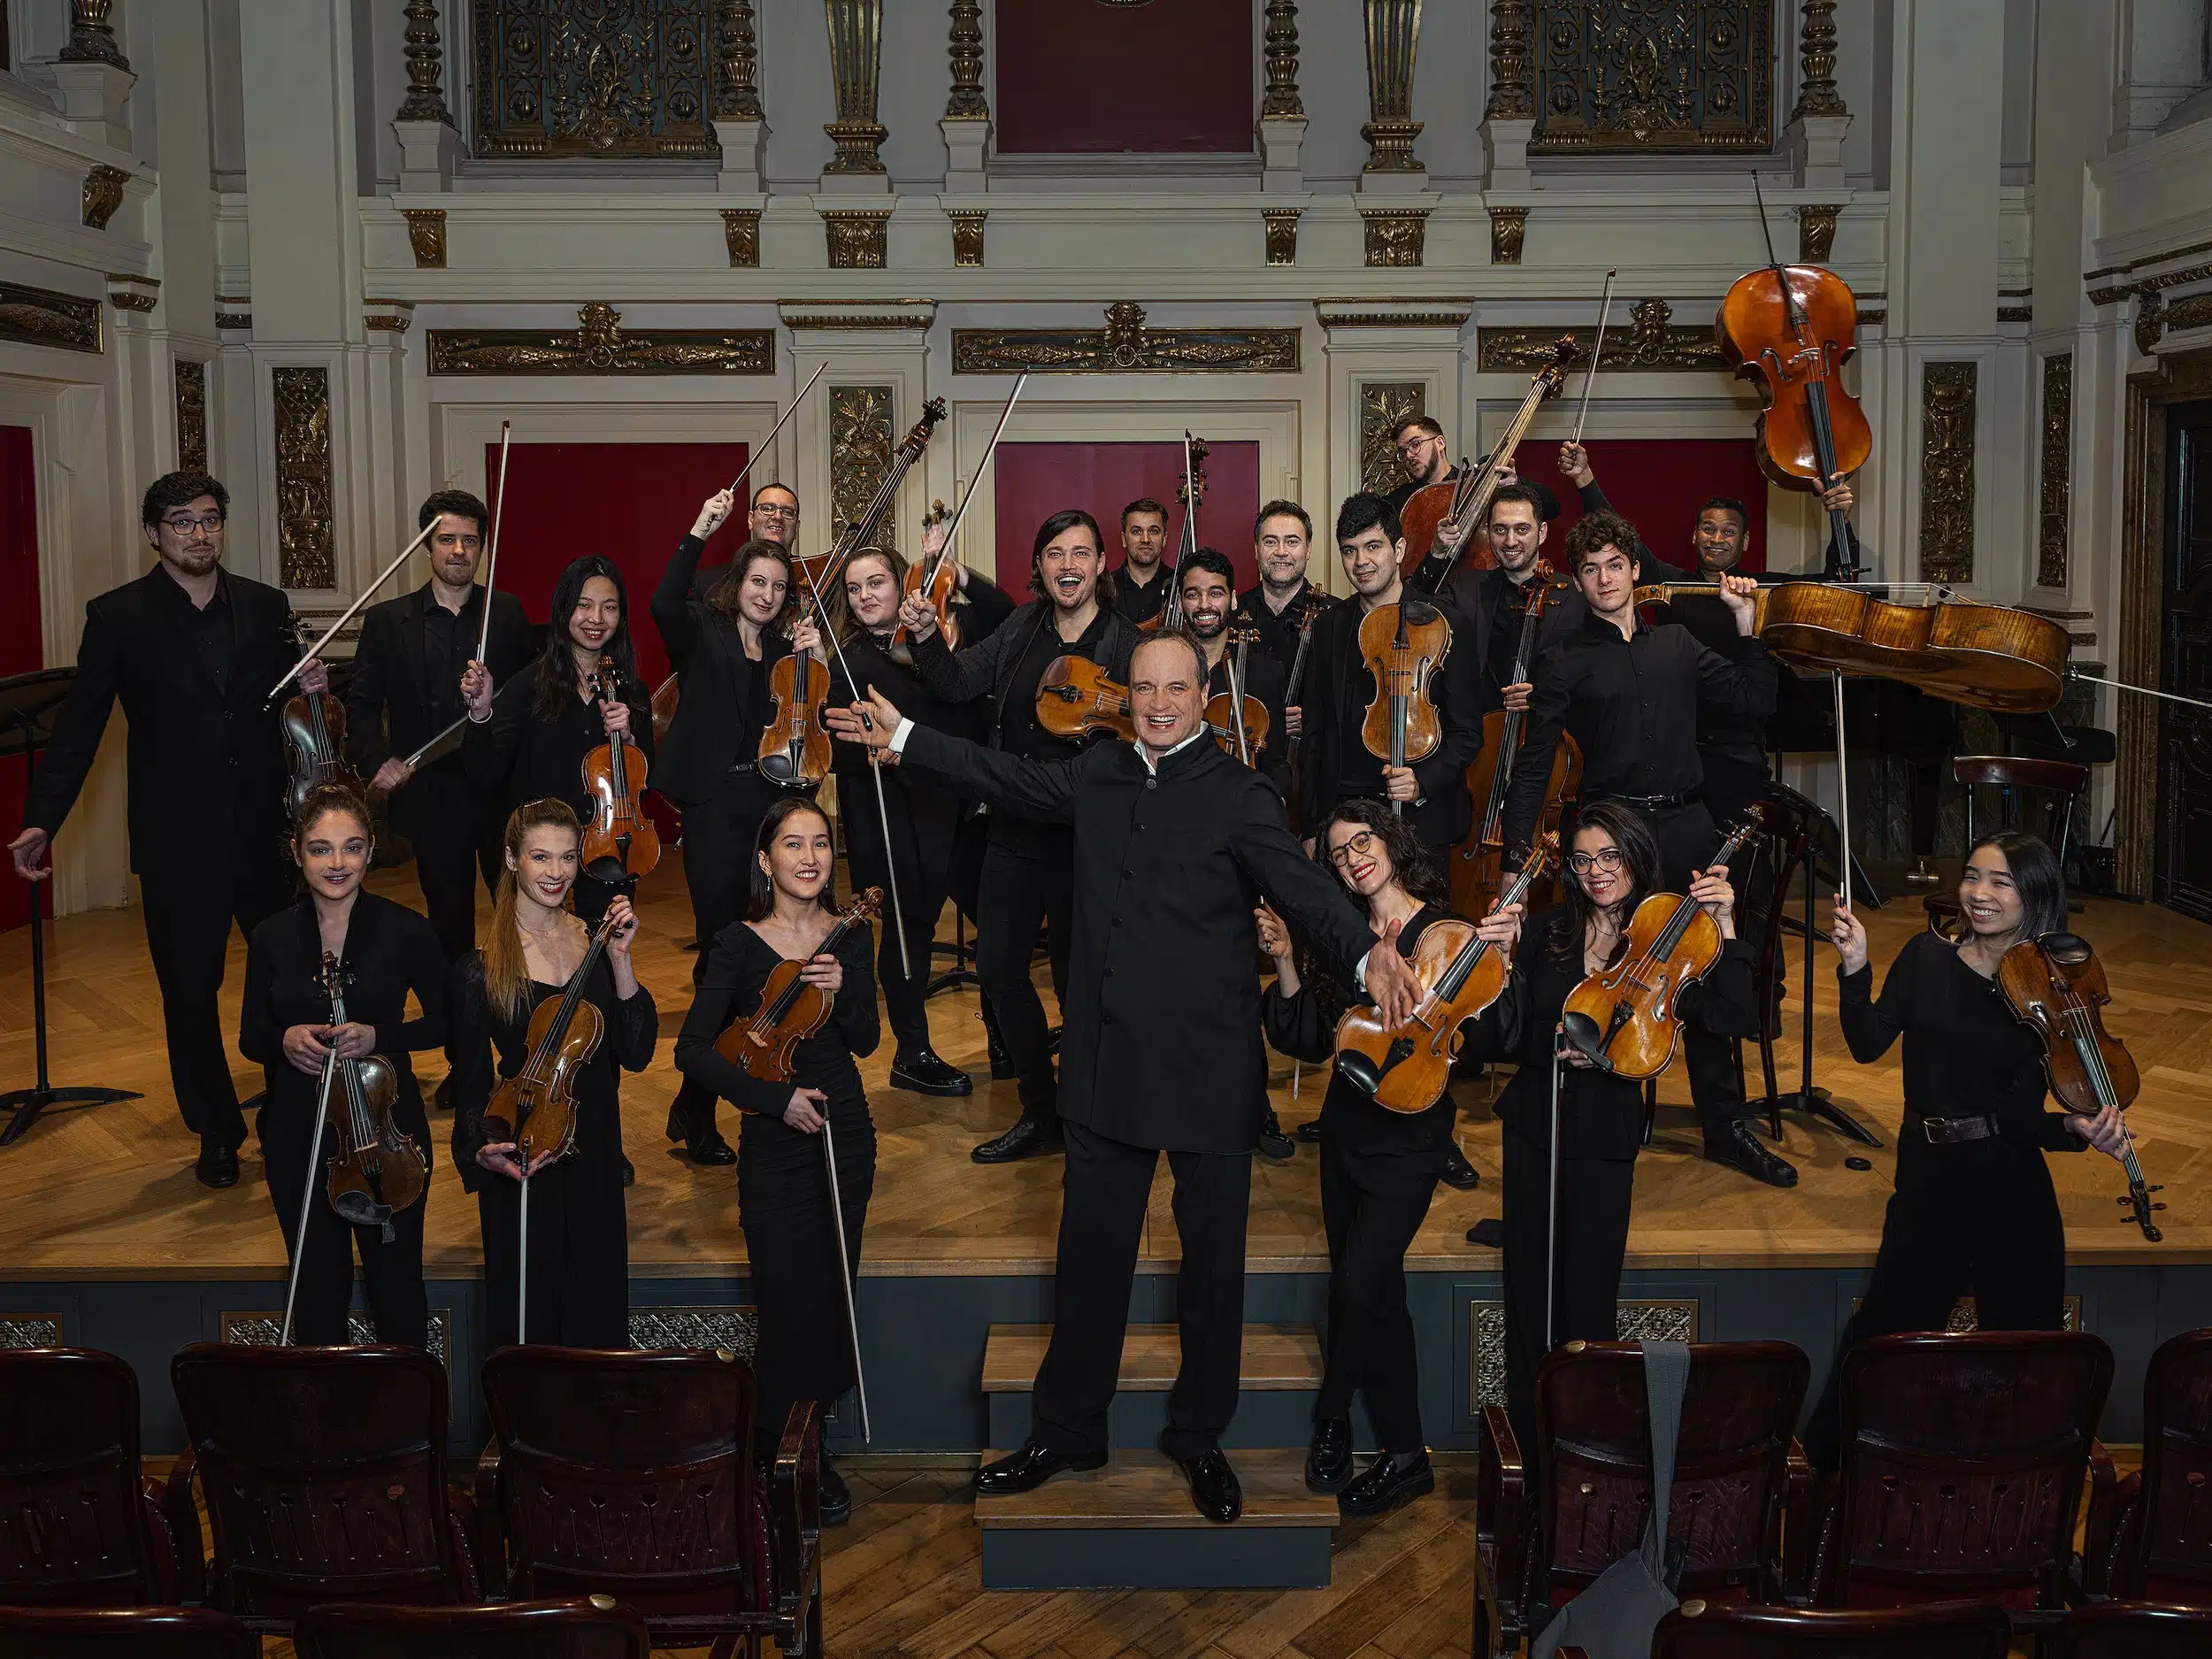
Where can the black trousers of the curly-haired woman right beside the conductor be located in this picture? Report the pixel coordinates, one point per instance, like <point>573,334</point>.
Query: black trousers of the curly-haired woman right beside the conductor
<point>1373,1209</point>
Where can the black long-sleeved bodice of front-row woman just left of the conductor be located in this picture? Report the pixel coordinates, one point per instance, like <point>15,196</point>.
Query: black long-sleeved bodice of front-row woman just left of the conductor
<point>731,990</point>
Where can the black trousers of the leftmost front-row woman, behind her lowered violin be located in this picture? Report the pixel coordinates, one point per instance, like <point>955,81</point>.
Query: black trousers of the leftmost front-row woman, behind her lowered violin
<point>390,1273</point>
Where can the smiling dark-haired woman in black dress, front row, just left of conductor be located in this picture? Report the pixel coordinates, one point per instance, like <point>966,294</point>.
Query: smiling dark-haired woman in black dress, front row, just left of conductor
<point>782,1180</point>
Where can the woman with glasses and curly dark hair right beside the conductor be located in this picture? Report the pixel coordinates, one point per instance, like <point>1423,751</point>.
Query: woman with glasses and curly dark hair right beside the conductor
<point>1379,1169</point>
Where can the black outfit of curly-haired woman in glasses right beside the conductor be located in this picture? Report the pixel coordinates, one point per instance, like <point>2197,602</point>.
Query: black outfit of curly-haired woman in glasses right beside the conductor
<point>1377,1180</point>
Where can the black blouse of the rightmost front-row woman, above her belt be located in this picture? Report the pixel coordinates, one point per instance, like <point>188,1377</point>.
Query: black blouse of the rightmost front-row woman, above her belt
<point>1965,1050</point>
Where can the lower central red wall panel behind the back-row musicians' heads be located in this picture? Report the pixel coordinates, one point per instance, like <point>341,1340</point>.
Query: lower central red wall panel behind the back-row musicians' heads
<point>1036,481</point>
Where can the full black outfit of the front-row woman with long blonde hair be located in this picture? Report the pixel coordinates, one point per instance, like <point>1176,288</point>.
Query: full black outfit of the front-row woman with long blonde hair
<point>581,1242</point>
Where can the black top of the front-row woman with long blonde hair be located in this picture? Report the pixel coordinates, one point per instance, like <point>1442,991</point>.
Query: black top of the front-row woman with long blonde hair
<point>632,1030</point>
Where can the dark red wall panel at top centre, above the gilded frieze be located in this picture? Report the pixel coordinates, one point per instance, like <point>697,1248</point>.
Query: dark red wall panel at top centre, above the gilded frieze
<point>1076,76</point>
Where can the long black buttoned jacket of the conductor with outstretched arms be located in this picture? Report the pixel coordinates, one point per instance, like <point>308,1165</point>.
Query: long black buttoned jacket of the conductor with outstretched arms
<point>1162,1019</point>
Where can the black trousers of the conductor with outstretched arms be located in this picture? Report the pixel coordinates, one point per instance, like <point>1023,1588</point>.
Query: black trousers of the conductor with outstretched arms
<point>1103,1200</point>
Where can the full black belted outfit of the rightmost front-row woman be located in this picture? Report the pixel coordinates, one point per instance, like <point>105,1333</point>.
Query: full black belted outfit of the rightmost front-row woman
<point>1965,1218</point>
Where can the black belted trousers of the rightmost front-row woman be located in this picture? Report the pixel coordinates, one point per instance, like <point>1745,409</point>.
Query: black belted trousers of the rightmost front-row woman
<point>1976,1218</point>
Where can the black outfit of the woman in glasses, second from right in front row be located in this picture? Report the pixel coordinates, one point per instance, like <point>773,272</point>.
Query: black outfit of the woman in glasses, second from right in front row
<point>1600,1134</point>
